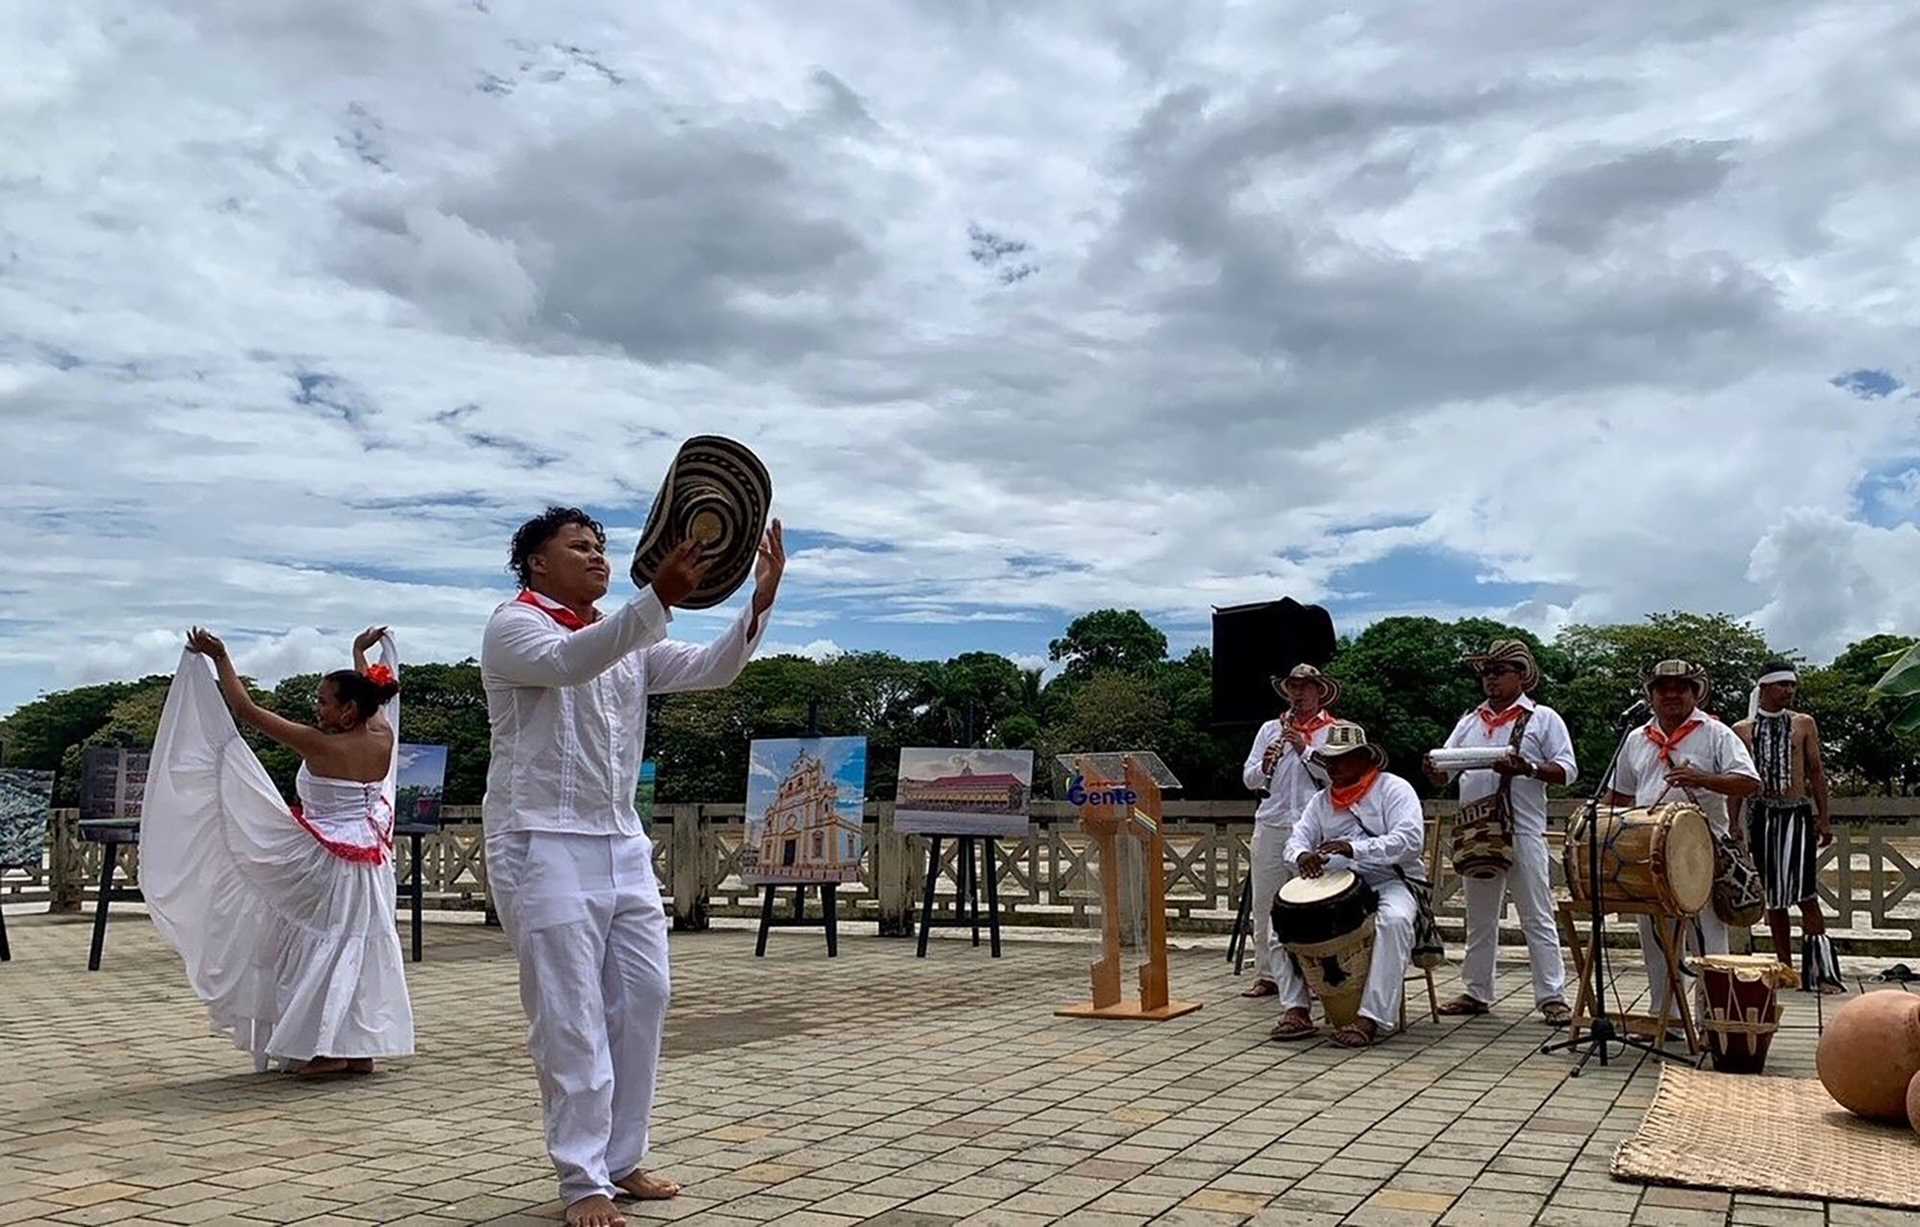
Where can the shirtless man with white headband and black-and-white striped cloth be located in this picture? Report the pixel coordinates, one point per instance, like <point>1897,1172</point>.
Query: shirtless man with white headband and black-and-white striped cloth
<point>1787,819</point>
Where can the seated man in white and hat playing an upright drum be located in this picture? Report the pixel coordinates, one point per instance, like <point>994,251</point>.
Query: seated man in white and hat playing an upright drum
<point>1372,823</point>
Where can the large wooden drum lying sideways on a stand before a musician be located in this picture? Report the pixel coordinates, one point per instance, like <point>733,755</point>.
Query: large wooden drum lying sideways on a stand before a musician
<point>1660,857</point>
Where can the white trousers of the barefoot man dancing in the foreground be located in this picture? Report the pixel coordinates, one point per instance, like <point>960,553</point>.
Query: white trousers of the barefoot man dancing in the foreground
<point>587,925</point>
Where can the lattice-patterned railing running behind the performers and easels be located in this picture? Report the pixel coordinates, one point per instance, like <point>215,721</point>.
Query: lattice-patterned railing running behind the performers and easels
<point>1869,878</point>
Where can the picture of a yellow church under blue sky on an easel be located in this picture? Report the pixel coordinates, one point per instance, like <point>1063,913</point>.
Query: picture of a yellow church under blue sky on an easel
<point>805,802</point>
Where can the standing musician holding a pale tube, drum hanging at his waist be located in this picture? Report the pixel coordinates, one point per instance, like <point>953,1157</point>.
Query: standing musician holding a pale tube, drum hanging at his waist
<point>1539,754</point>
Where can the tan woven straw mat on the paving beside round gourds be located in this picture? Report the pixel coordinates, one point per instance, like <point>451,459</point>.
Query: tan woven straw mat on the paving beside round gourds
<point>1781,1136</point>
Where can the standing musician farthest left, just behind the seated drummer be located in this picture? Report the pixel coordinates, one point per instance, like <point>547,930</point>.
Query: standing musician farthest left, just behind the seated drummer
<point>1282,769</point>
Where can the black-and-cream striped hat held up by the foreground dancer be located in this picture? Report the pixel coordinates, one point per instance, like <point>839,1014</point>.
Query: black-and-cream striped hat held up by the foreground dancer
<point>717,494</point>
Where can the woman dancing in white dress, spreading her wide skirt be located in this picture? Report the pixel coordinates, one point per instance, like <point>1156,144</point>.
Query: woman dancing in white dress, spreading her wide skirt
<point>285,917</point>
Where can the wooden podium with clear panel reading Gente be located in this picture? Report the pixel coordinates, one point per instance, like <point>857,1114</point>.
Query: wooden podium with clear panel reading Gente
<point>1120,811</point>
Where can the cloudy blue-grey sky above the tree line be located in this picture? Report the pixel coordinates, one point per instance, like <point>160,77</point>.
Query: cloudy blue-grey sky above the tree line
<point>1547,310</point>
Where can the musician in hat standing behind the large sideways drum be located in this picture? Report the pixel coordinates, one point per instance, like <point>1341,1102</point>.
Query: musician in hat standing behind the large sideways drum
<point>1683,754</point>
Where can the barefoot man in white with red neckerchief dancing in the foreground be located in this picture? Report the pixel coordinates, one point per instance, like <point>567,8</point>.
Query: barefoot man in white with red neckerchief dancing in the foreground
<point>569,861</point>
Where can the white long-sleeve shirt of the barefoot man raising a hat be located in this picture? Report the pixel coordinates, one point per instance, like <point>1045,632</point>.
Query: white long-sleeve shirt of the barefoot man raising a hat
<point>569,710</point>
